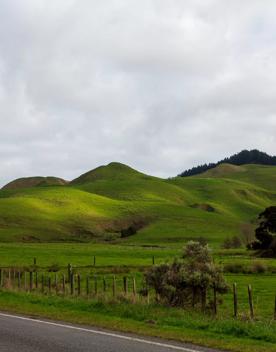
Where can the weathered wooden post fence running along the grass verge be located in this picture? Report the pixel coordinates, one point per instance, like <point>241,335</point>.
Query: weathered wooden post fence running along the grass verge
<point>90,285</point>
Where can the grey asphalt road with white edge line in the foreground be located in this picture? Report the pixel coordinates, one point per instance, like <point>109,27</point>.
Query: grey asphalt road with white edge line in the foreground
<point>19,333</point>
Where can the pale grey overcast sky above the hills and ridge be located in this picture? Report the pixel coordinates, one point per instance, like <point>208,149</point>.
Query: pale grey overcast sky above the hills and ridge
<point>161,85</point>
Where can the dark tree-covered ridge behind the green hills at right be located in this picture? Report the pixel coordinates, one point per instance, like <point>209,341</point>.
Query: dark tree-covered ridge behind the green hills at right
<point>242,158</point>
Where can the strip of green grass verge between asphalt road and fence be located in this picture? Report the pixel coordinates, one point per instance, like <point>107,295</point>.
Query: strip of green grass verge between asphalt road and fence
<point>149,320</point>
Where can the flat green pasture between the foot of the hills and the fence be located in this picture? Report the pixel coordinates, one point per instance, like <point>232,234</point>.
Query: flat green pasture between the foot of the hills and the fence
<point>133,261</point>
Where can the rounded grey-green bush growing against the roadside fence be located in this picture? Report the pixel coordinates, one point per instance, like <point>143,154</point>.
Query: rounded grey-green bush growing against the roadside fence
<point>187,281</point>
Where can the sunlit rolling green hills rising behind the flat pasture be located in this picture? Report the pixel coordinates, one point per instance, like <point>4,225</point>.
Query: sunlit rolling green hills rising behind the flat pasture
<point>99,204</point>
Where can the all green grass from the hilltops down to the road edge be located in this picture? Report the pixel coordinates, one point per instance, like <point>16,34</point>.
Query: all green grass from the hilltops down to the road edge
<point>59,223</point>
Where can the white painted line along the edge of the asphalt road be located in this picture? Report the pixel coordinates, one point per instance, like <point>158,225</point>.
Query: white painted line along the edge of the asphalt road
<point>98,332</point>
